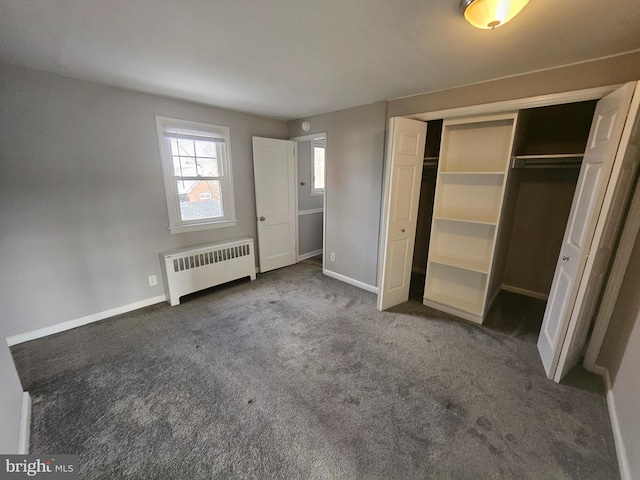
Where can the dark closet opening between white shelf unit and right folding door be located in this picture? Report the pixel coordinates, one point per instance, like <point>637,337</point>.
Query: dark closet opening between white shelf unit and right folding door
<point>548,149</point>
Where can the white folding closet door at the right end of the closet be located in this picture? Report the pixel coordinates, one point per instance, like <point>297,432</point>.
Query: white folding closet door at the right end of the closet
<point>579,273</point>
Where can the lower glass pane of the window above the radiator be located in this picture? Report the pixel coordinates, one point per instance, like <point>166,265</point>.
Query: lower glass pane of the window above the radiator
<point>200,200</point>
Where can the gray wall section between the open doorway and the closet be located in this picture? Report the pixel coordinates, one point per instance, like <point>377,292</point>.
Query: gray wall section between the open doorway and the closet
<point>354,162</point>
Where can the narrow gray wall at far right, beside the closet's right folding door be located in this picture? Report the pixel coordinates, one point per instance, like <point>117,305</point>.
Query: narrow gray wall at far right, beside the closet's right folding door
<point>620,354</point>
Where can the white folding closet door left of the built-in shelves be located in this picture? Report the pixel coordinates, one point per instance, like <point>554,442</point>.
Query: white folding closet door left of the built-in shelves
<point>405,152</point>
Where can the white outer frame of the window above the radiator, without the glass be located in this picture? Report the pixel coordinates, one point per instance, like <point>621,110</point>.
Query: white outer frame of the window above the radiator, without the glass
<point>176,224</point>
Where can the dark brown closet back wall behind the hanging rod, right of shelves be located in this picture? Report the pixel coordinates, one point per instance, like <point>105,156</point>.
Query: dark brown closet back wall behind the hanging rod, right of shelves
<point>544,193</point>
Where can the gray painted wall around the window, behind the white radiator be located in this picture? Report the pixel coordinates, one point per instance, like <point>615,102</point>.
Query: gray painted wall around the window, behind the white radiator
<point>84,212</point>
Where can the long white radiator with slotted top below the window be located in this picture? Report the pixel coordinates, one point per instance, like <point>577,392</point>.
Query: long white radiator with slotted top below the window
<point>187,270</point>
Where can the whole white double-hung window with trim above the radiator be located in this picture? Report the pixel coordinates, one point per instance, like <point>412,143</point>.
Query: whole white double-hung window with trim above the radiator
<point>197,175</point>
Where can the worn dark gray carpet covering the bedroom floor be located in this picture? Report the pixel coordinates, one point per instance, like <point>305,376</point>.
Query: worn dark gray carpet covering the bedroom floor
<point>296,375</point>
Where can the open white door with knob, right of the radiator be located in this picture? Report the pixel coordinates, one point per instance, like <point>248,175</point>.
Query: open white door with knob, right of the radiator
<point>274,173</point>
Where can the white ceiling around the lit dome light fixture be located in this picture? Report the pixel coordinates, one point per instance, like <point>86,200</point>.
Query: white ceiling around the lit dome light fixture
<point>294,58</point>
